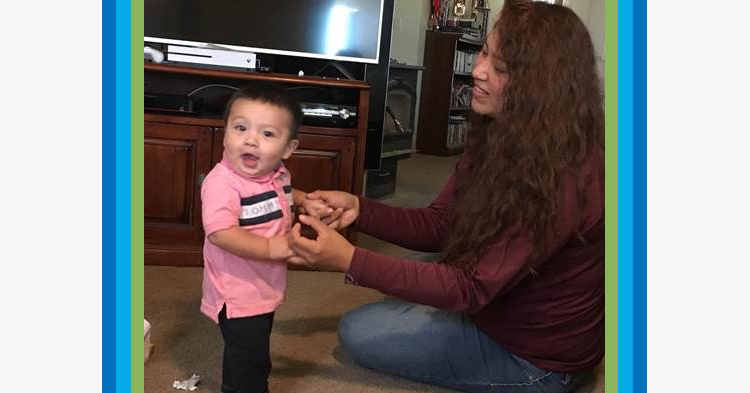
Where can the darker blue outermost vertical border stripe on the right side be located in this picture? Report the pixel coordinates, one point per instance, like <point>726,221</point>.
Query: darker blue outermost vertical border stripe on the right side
<point>639,197</point>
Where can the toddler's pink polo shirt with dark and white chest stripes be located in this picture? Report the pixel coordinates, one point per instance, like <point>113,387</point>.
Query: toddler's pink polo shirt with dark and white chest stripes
<point>260,205</point>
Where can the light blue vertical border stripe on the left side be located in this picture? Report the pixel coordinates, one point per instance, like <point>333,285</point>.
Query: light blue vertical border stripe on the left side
<point>122,197</point>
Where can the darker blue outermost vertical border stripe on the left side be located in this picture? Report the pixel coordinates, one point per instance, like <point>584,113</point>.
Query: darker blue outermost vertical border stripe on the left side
<point>108,285</point>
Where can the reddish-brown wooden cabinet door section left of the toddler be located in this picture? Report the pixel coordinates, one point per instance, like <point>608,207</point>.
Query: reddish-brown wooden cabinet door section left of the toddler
<point>176,158</point>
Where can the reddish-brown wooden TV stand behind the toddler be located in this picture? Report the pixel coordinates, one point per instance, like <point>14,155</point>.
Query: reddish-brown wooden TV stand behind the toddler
<point>179,150</point>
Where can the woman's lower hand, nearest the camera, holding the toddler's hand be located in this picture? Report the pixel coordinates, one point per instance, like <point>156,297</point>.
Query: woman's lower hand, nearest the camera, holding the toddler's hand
<point>330,251</point>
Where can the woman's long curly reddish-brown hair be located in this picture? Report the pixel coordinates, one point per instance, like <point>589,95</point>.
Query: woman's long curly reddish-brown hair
<point>551,120</point>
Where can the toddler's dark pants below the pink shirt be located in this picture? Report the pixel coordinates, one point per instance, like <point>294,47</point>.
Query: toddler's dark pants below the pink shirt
<point>247,362</point>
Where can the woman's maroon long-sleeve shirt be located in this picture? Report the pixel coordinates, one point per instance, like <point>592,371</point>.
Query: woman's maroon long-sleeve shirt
<point>554,319</point>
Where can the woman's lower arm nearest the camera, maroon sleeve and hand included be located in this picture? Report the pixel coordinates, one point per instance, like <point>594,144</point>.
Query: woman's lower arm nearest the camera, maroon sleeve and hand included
<point>434,284</point>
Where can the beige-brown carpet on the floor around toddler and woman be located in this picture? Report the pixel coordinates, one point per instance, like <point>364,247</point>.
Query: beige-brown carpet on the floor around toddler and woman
<point>304,347</point>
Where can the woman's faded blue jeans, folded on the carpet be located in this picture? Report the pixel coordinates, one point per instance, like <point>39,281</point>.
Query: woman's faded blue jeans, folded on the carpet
<point>441,348</point>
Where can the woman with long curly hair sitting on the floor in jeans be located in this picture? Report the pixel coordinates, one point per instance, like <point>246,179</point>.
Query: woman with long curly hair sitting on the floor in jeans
<point>516,302</point>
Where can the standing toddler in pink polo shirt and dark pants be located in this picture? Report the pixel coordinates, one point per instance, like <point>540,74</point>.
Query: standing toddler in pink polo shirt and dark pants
<point>248,202</point>
